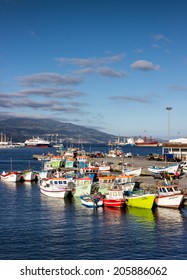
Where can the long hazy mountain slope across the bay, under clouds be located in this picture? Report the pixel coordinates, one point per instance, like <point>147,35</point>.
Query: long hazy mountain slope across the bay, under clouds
<point>20,129</point>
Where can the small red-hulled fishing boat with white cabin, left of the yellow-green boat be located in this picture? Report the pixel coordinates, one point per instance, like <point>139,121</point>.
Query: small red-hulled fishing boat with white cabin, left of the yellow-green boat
<point>114,199</point>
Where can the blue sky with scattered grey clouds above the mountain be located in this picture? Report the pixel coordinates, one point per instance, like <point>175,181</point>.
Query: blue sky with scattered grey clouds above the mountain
<point>111,65</point>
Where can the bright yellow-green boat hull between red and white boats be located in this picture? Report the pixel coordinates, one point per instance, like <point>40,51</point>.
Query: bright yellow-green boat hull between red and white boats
<point>140,200</point>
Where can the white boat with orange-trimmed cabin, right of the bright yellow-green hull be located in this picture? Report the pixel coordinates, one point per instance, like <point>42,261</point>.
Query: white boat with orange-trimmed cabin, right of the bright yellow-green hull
<point>169,196</point>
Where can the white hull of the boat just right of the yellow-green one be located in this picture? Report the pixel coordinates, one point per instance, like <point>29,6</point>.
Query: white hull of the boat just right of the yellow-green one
<point>169,201</point>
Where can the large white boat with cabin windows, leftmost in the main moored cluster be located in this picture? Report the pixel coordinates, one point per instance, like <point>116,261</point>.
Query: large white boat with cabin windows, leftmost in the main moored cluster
<point>57,187</point>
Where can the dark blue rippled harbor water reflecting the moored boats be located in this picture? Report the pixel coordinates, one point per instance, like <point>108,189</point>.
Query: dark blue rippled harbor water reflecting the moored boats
<point>36,227</point>
